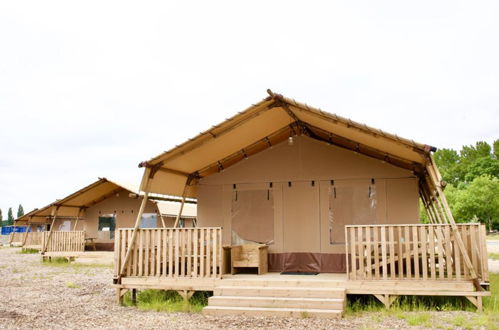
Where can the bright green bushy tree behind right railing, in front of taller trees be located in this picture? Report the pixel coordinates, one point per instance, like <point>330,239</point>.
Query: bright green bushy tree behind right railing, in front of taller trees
<point>478,200</point>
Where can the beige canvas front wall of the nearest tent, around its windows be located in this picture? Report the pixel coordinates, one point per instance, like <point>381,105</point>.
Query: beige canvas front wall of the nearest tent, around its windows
<point>301,208</point>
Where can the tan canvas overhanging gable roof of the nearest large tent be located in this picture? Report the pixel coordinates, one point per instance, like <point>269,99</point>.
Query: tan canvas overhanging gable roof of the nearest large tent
<point>267,123</point>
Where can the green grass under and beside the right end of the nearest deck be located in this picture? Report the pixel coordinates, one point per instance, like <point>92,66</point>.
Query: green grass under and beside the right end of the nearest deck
<point>415,310</point>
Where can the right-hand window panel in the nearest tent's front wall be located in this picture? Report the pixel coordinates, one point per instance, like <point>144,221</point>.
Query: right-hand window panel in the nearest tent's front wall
<point>350,203</point>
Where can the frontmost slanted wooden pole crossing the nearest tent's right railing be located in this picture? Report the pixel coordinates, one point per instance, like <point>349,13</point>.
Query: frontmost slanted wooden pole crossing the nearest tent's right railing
<point>442,202</point>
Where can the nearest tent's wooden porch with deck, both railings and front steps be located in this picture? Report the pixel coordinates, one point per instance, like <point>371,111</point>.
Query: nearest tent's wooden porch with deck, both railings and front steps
<point>386,261</point>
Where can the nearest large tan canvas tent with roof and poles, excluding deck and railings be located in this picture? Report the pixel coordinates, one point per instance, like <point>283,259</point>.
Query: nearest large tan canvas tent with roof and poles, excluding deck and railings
<point>290,175</point>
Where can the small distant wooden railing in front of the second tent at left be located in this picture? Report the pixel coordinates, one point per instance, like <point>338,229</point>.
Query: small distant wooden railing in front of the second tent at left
<point>64,241</point>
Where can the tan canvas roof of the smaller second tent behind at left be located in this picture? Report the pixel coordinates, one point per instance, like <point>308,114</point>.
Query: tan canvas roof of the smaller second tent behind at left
<point>69,206</point>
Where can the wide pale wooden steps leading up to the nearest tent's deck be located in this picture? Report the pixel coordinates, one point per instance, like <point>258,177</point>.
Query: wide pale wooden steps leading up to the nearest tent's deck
<point>285,298</point>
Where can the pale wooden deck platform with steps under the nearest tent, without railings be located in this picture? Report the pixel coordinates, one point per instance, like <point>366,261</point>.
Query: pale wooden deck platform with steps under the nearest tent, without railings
<point>290,295</point>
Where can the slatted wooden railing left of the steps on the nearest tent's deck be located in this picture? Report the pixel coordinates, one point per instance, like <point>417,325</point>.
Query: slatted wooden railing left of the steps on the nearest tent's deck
<point>170,252</point>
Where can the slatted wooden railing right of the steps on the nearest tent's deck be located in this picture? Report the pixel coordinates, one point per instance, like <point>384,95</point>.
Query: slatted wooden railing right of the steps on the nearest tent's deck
<point>419,251</point>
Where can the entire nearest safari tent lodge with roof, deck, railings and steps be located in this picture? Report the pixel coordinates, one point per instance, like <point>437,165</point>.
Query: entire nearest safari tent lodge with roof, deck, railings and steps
<point>298,208</point>
